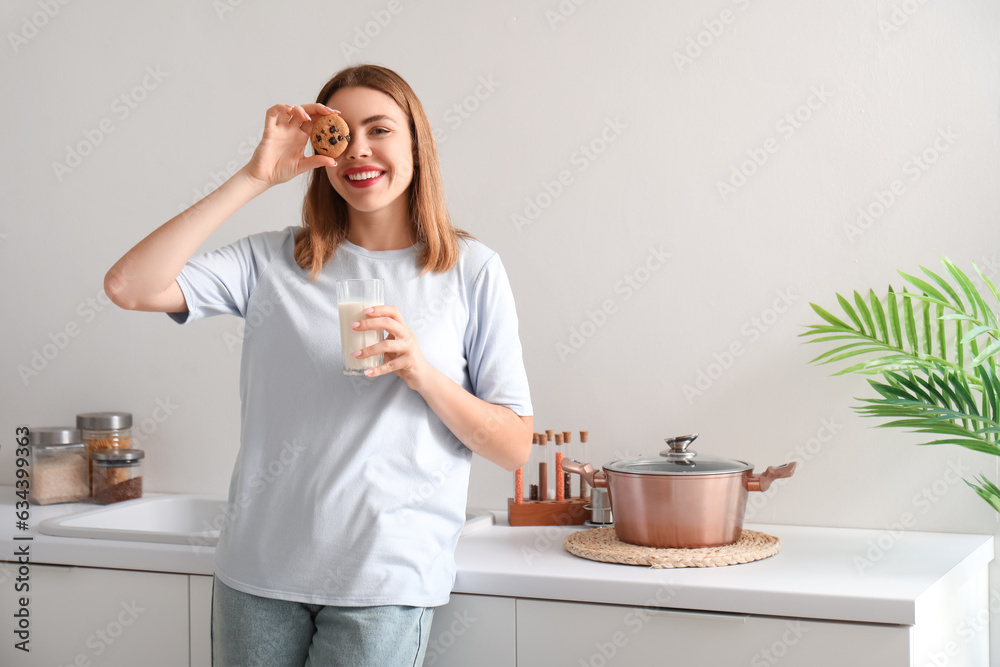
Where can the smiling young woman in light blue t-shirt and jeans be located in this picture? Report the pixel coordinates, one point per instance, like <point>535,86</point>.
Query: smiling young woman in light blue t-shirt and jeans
<point>340,558</point>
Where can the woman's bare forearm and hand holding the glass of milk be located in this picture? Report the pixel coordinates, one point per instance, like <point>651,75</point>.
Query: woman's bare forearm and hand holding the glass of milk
<point>494,432</point>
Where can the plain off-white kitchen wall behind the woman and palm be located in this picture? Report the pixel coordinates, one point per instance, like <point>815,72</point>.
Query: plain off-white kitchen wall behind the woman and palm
<point>165,99</point>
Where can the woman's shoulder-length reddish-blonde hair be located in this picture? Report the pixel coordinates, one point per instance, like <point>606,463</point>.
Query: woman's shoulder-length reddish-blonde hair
<point>324,211</point>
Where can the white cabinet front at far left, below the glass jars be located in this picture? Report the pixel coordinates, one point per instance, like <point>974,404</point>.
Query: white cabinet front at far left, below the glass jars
<point>85,617</point>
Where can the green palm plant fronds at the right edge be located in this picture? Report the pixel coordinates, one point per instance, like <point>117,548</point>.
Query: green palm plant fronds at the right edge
<point>934,351</point>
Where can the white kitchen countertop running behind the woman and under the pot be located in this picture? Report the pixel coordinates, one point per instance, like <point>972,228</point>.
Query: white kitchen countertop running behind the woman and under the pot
<point>832,573</point>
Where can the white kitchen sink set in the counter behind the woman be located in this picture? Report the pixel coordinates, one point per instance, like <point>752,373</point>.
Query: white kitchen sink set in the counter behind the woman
<point>172,519</point>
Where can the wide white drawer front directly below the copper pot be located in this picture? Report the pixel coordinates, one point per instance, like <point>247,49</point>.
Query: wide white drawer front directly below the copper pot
<point>591,635</point>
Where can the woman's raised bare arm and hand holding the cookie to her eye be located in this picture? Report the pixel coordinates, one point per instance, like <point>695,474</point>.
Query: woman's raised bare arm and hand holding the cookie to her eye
<point>145,277</point>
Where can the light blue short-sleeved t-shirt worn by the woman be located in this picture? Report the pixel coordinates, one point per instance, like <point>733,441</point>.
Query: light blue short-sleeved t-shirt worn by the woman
<point>349,490</point>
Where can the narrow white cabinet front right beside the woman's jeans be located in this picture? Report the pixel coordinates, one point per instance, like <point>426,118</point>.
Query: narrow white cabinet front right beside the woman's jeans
<point>473,630</point>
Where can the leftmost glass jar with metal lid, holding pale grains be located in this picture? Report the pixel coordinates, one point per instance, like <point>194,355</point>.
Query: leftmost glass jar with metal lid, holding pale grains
<point>60,466</point>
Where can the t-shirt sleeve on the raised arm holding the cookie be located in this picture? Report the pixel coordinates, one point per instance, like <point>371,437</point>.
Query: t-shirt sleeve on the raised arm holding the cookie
<point>220,282</point>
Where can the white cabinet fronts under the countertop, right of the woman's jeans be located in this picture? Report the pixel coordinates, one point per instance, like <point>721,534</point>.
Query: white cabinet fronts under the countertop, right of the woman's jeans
<point>508,632</point>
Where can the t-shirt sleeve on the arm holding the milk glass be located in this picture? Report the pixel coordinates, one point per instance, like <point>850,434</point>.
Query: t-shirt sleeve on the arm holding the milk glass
<point>496,364</point>
